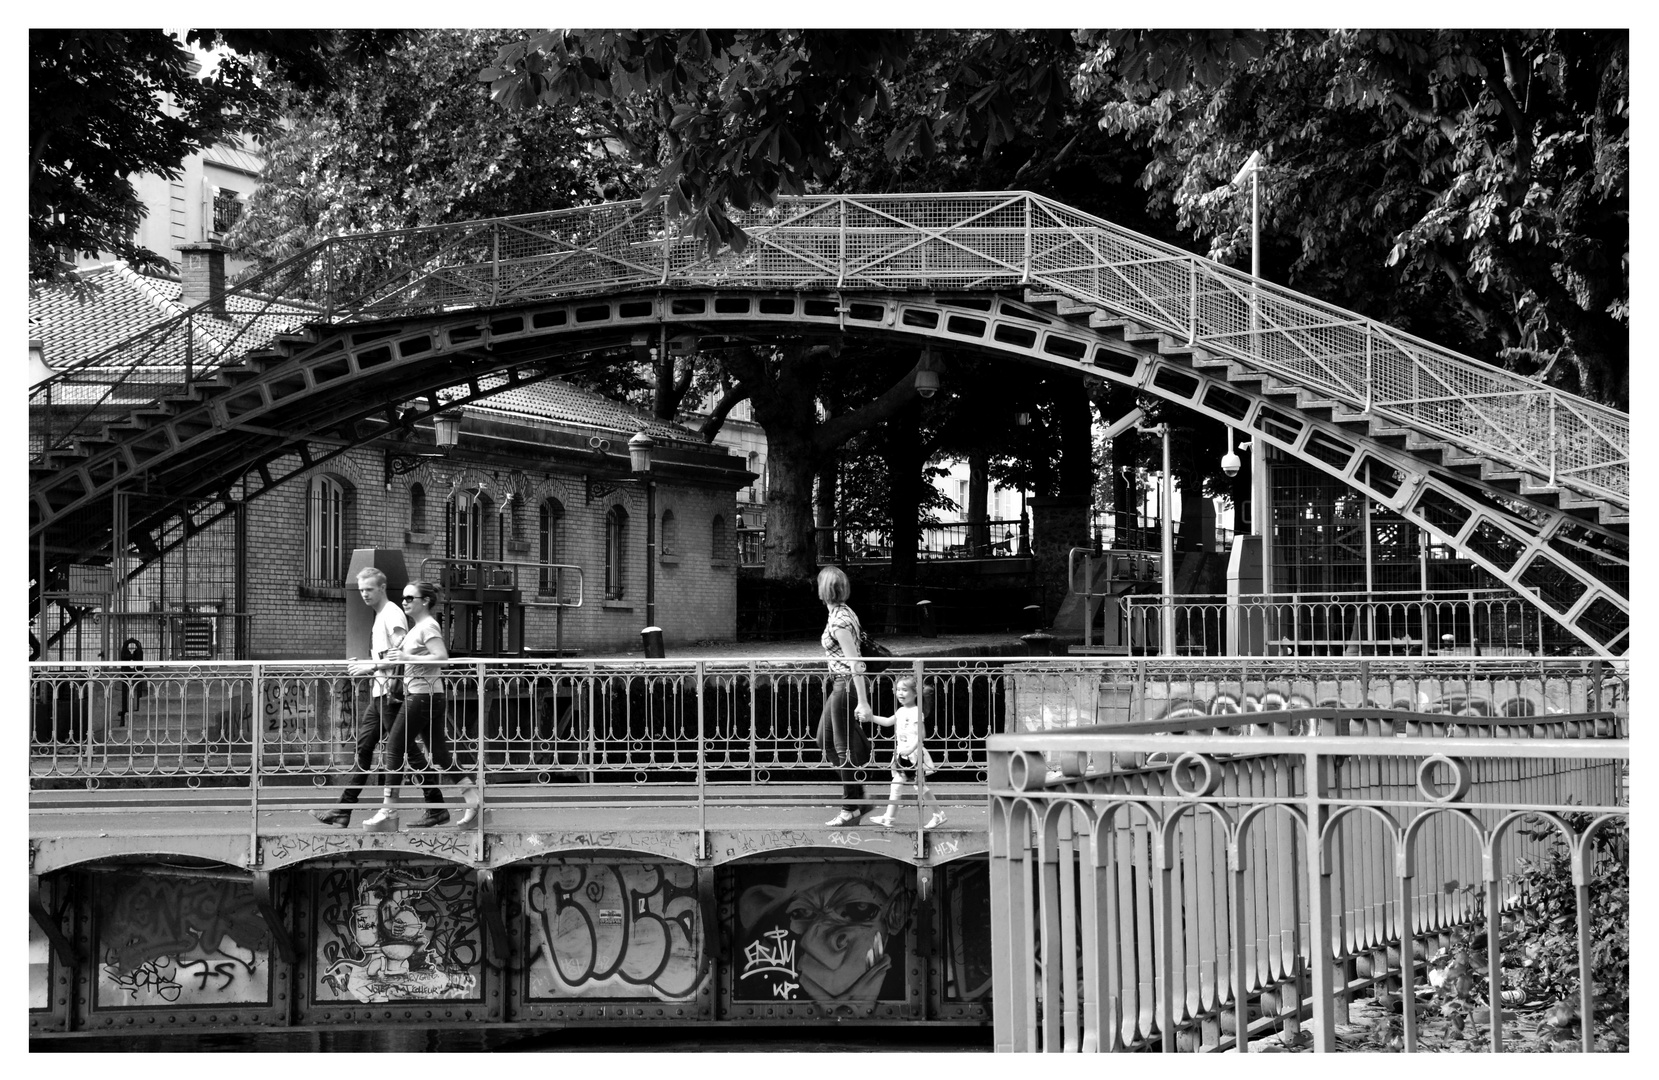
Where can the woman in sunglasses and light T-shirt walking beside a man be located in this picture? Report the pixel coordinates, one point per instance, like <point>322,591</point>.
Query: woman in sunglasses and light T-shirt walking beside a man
<point>424,709</point>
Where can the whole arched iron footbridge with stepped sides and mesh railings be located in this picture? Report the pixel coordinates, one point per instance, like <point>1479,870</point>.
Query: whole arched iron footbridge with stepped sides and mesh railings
<point>326,351</point>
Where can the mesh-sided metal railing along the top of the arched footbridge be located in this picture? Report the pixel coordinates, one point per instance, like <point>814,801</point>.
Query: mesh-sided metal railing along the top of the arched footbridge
<point>890,243</point>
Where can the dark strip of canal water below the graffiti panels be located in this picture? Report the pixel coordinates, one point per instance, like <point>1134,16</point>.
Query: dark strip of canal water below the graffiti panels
<point>568,1041</point>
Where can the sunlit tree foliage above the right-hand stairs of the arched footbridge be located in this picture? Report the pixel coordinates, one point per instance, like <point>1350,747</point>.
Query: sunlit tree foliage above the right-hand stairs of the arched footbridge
<point>1472,187</point>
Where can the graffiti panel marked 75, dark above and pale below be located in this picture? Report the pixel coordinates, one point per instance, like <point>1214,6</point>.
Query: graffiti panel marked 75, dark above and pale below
<point>180,943</point>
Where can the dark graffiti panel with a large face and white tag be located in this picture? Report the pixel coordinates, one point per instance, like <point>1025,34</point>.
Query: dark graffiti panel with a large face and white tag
<point>830,933</point>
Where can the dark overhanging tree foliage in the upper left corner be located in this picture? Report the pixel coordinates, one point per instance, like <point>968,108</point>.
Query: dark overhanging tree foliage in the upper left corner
<point>105,105</point>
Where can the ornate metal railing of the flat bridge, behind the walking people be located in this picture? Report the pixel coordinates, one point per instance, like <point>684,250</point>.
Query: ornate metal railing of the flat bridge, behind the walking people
<point>706,724</point>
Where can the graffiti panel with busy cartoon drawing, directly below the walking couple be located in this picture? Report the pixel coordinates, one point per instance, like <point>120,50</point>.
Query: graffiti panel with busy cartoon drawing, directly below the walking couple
<point>397,935</point>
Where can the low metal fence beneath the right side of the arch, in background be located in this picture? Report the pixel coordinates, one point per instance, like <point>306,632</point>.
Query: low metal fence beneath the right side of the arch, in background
<point>1476,621</point>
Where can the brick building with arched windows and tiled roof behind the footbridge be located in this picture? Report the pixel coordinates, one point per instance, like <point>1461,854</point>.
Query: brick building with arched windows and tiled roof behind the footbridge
<point>532,485</point>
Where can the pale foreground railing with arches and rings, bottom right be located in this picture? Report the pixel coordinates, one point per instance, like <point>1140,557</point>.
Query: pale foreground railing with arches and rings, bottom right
<point>1162,885</point>
